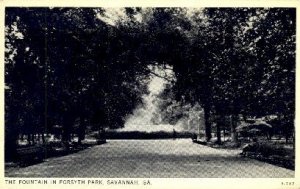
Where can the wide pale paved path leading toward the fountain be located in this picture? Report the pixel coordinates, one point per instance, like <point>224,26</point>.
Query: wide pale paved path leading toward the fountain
<point>151,158</point>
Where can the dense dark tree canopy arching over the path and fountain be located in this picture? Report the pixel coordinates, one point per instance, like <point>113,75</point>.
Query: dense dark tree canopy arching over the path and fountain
<point>69,67</point>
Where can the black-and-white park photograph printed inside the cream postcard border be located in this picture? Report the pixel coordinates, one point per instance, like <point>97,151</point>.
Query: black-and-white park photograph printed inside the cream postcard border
<point>149,92</point>
